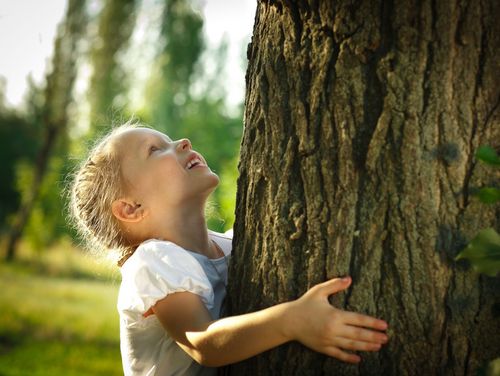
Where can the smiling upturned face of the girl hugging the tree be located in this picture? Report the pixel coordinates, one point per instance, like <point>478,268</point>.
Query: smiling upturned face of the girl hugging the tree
<point>161,173</point>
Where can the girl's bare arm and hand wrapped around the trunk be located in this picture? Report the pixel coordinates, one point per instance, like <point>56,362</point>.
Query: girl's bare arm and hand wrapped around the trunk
<point>310,320</point>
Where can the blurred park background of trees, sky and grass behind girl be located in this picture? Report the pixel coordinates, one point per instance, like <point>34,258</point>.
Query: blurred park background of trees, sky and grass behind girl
<point>70,70</point>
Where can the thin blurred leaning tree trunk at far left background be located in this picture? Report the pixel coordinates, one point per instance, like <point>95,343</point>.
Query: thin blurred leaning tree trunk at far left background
<point>58,94</point>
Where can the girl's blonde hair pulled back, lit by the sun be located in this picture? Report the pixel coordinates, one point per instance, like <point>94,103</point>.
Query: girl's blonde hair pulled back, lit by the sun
<point>97,183</point>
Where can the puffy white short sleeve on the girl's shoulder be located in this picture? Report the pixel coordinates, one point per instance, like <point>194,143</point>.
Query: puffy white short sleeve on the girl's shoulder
<point>157,269</point>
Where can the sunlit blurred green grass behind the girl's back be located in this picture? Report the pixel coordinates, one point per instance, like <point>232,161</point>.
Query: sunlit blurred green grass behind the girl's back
<point>58,315</point>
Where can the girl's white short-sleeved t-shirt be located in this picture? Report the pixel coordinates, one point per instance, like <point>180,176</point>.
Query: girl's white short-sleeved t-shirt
<point>158,268</point>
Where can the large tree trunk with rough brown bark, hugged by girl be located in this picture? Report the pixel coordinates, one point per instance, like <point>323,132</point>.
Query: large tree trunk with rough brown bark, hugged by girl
<point>362,119</point>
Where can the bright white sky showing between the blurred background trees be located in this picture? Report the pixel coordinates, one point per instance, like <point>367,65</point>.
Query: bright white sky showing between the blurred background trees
<point>28,27</point>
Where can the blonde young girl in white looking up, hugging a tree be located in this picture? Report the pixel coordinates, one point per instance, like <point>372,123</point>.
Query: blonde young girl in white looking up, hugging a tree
<point>144,194</point>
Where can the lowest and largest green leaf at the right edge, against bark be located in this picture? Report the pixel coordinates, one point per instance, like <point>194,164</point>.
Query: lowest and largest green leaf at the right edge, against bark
<point>483,252</point>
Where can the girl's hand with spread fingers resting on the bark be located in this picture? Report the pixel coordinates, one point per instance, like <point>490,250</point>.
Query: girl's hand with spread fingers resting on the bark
<point>318,325</point>
